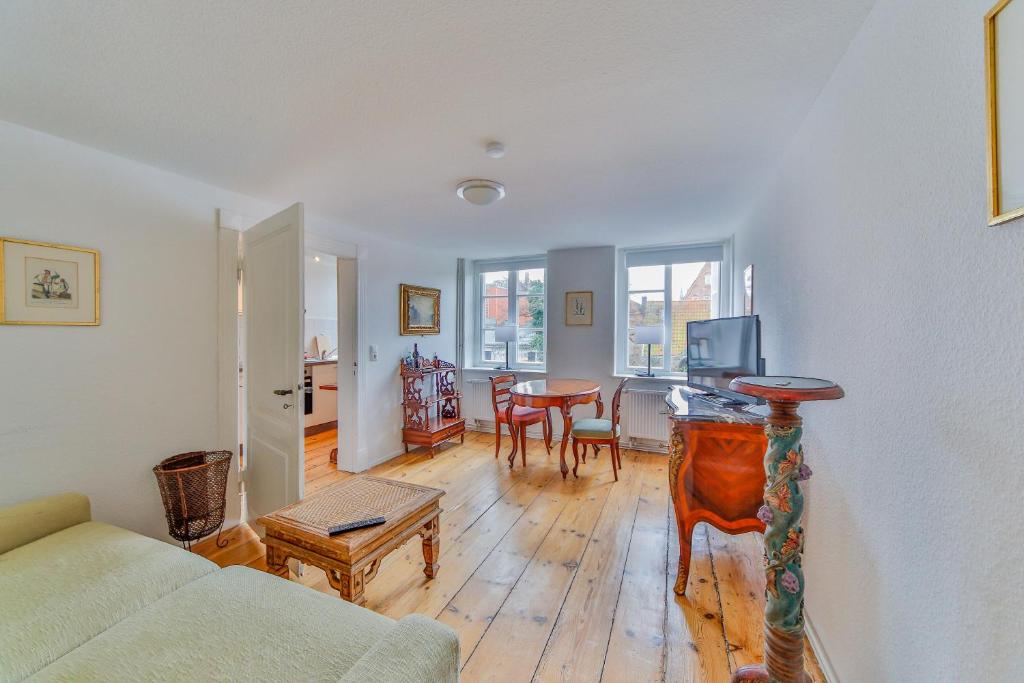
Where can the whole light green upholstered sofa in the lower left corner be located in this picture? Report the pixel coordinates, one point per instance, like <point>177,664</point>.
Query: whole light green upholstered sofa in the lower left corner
<point>87,602</point>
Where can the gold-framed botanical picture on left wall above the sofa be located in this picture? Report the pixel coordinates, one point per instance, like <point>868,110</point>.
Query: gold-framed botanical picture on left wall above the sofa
<point>49,284</point>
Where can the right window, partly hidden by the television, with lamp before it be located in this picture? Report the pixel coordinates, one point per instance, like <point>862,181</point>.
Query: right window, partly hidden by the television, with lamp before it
<point>668,288</point>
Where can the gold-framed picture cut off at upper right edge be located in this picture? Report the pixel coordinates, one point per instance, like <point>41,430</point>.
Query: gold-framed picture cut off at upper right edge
<point>1005,70</point>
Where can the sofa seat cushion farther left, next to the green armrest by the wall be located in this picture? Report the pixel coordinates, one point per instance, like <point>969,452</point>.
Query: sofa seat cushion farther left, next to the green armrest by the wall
<point>64,589</point>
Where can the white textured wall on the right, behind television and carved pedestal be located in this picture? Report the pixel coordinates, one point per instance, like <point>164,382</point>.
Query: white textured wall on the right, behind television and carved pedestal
<point>875,269</point>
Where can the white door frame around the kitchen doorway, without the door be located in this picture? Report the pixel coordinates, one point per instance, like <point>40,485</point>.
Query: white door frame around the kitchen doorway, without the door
<point>230,404</point>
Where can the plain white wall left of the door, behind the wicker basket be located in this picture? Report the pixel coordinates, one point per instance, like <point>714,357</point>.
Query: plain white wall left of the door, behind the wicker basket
<point>95,409</point>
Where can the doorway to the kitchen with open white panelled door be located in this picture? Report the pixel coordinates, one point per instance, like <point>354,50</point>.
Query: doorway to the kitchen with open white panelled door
<point>264,349</point>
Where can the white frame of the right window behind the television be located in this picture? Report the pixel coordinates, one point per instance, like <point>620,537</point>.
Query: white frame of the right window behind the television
<point>726,303</point>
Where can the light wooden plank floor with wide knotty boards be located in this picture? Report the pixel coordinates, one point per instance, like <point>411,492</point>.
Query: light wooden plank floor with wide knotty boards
<point>546,580</point>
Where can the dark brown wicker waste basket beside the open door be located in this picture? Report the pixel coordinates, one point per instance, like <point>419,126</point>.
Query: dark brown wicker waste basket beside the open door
<point>194,488</point>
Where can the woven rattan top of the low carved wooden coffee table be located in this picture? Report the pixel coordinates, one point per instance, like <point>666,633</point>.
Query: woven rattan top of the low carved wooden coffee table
<point>355,499</point>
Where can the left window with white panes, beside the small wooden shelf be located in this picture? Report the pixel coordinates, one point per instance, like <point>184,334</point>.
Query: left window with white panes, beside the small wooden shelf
<point>511,293</point>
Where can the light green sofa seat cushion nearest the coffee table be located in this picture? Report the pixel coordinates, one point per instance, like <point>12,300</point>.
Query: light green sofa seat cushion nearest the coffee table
<point>235,625</point>
